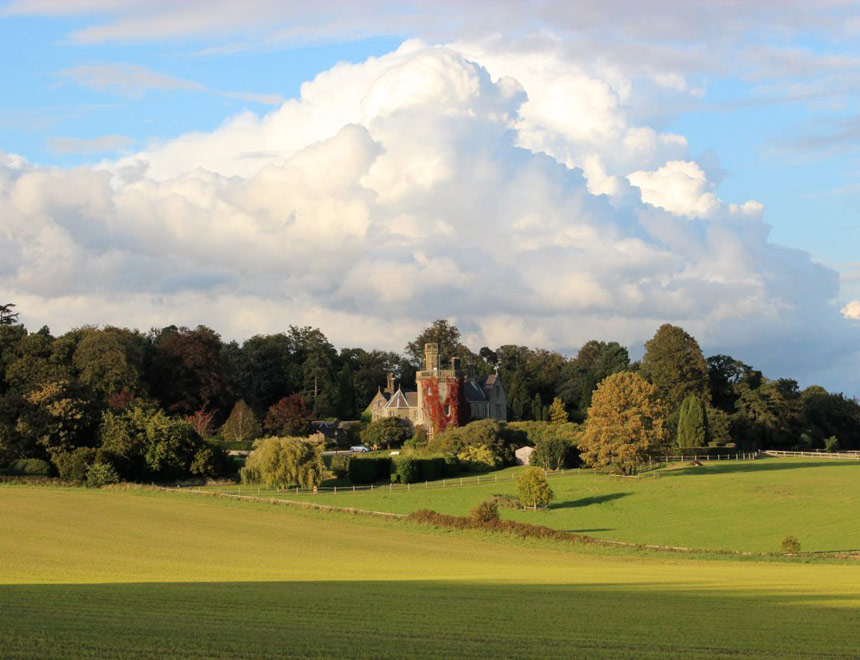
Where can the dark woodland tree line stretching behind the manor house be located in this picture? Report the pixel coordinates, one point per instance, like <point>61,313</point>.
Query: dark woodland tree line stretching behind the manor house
<point>148,401</point>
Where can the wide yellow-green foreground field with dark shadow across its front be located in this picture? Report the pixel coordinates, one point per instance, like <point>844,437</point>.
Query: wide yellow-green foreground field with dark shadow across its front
<point>117,573</point>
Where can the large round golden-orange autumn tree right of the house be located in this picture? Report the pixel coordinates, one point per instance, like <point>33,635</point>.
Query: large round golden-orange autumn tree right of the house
<point>625,422</point>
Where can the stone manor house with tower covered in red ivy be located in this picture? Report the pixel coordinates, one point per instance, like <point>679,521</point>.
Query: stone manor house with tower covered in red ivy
<point>451,396</point>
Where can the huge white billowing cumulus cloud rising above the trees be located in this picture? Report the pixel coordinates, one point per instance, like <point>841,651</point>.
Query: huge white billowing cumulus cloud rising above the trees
<point>415,186</point>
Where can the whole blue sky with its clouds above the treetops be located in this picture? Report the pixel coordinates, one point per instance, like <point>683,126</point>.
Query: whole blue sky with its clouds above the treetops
<point>539,173</point>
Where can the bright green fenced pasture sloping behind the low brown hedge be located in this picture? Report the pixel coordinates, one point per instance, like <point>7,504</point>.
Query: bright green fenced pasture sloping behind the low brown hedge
<point>727,505</point>
